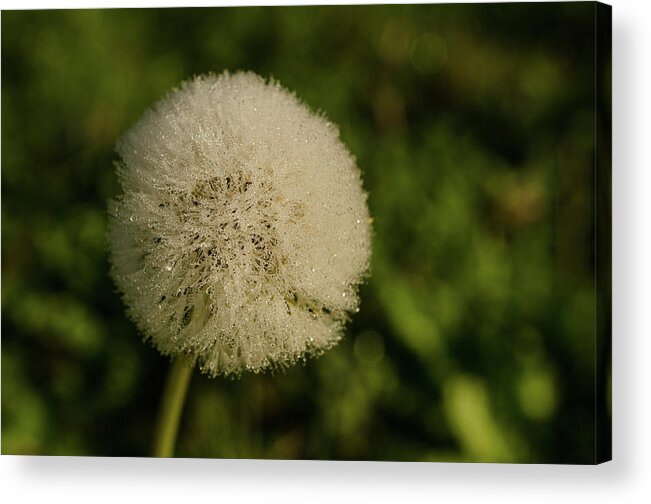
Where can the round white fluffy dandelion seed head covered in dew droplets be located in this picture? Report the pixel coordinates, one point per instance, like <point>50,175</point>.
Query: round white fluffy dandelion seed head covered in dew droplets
<point>242,232</point>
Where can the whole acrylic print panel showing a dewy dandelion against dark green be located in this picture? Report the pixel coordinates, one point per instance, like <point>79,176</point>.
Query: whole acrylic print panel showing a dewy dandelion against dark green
<point>397,249</point>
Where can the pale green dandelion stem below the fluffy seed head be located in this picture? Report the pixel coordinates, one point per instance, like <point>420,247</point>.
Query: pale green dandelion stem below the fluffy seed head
<point>171,408</point>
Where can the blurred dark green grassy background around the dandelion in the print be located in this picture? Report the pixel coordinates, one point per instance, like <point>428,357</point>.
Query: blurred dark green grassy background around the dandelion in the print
<point>474,128</point>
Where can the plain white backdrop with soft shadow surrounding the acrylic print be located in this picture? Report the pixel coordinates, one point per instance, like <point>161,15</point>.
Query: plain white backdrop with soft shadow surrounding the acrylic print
<point>626,480</point>
